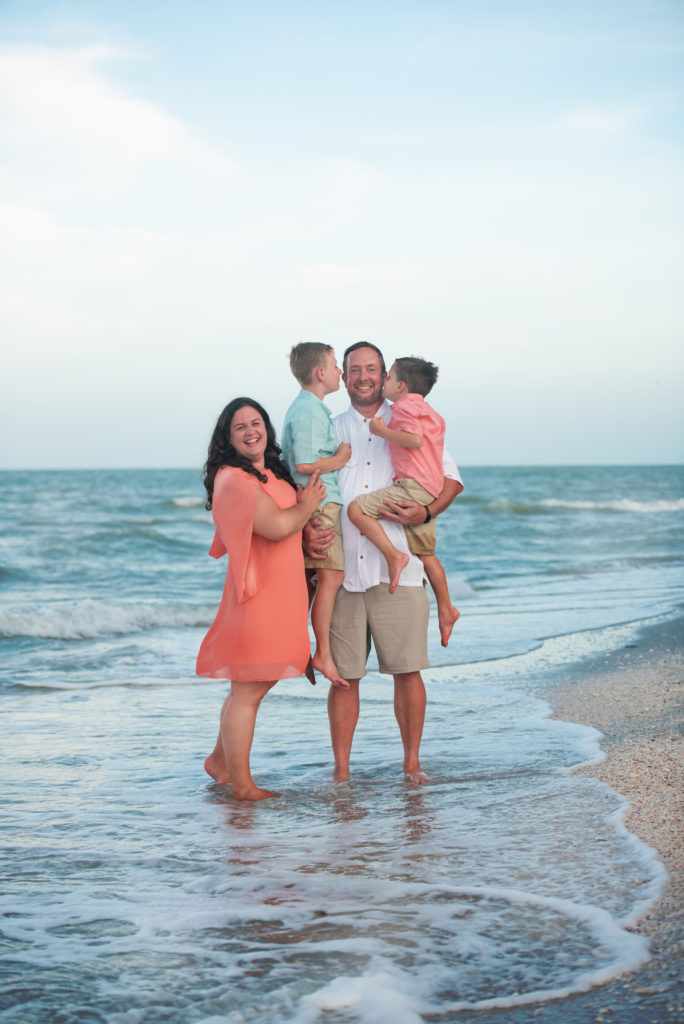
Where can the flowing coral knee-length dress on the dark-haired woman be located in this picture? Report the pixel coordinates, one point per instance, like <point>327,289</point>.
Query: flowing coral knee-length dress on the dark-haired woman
<point>261,632</point>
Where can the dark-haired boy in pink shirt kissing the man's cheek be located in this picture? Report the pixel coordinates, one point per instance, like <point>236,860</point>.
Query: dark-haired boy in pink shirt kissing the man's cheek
<point>416,437</point>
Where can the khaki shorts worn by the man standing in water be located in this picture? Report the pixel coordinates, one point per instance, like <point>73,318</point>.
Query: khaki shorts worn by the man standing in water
<point>398,624</point>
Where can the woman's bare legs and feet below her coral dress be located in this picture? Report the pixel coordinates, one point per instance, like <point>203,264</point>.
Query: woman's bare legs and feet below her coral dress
<point>238,720</point>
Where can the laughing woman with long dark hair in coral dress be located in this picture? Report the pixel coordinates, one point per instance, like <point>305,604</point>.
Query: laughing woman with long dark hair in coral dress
<point>261,633</point>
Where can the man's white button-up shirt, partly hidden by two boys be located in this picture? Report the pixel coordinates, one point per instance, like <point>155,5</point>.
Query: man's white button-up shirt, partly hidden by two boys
<point>370,468</point>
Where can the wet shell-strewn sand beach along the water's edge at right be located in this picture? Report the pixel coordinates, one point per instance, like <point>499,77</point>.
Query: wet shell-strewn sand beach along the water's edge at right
<point>634,697</point>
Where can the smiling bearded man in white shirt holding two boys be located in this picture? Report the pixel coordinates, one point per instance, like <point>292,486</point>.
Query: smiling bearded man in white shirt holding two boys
<point>397,622</point>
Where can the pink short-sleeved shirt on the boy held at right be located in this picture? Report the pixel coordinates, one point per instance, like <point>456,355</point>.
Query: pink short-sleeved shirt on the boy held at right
<point>413,414</point>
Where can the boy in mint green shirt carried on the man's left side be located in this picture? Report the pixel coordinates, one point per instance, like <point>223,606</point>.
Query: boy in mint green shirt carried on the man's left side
<point>310,446</point>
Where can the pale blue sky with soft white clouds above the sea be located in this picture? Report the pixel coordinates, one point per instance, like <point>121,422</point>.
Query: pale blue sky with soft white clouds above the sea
<point>189,189</point>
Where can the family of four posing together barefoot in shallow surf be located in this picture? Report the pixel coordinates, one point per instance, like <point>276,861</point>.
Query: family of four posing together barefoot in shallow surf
<point>326,490</point>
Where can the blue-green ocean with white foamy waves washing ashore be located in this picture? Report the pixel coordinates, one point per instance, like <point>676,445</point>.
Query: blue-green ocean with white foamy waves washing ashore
<point>136,890</point>
